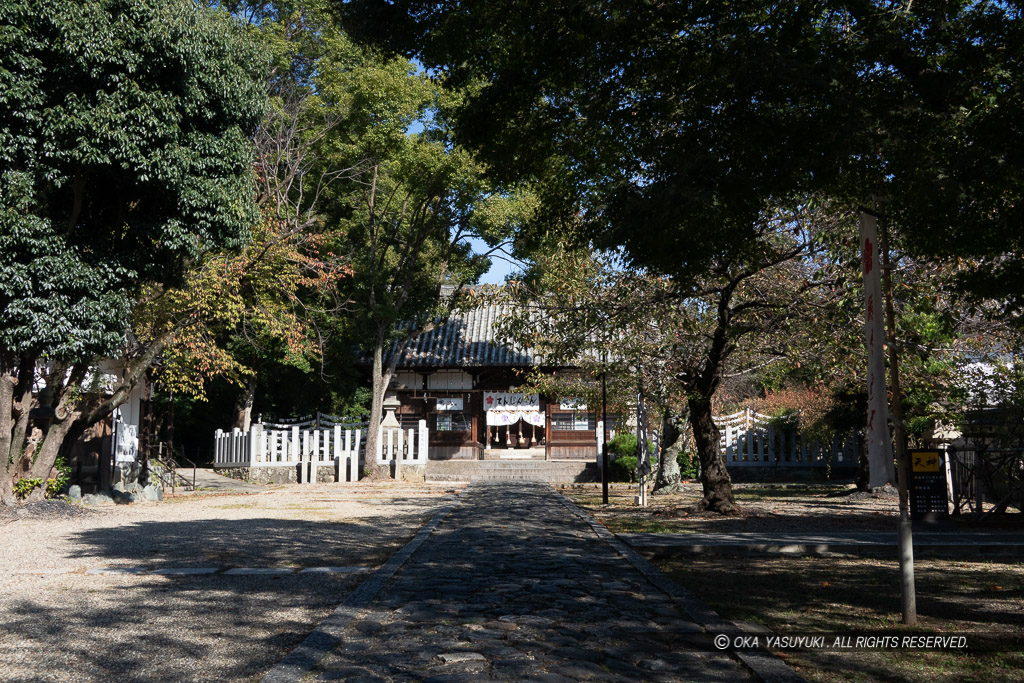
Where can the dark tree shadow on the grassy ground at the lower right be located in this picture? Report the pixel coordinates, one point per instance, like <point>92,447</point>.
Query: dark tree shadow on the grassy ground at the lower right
<point>862,596</point>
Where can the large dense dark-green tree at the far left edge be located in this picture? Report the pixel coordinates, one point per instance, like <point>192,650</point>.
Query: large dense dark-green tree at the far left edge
<point>125,132</point>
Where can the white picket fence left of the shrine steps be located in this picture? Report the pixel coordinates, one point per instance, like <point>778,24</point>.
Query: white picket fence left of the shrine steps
<point>308,448</point>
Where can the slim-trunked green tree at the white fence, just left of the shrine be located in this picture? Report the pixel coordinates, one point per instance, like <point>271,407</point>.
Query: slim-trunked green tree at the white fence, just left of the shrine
<point>420,200</point>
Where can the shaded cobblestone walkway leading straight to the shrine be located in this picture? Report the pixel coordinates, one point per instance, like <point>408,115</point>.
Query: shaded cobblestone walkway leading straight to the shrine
<point>515,587</point>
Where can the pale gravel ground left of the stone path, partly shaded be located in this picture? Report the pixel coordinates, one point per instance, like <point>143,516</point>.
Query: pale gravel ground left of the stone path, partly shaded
<point>59,622</point>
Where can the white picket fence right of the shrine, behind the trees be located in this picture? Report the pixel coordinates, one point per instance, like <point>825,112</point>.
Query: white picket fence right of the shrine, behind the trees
<point>749,440</point>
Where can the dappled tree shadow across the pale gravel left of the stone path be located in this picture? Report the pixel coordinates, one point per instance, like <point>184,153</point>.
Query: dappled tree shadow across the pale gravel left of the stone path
<point>173,628</point>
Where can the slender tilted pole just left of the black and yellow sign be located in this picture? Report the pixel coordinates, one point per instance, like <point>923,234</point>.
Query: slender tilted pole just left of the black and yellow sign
<point>909,592</point>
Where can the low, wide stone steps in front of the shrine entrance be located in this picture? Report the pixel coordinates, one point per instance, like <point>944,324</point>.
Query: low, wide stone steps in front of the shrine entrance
<point>506,471</point>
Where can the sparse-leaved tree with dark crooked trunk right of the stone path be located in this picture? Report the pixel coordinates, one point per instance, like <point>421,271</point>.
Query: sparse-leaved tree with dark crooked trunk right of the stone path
<point>688,335</point>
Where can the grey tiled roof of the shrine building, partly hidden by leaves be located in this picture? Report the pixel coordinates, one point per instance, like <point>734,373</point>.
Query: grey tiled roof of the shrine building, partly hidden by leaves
<point>467,340</point>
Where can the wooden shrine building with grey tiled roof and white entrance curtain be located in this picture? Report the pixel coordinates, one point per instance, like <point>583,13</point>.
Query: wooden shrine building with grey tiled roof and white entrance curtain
<point>463,382</point>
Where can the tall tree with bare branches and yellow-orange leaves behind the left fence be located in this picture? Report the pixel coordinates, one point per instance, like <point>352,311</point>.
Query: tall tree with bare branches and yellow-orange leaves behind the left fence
<point>302,149</point>
